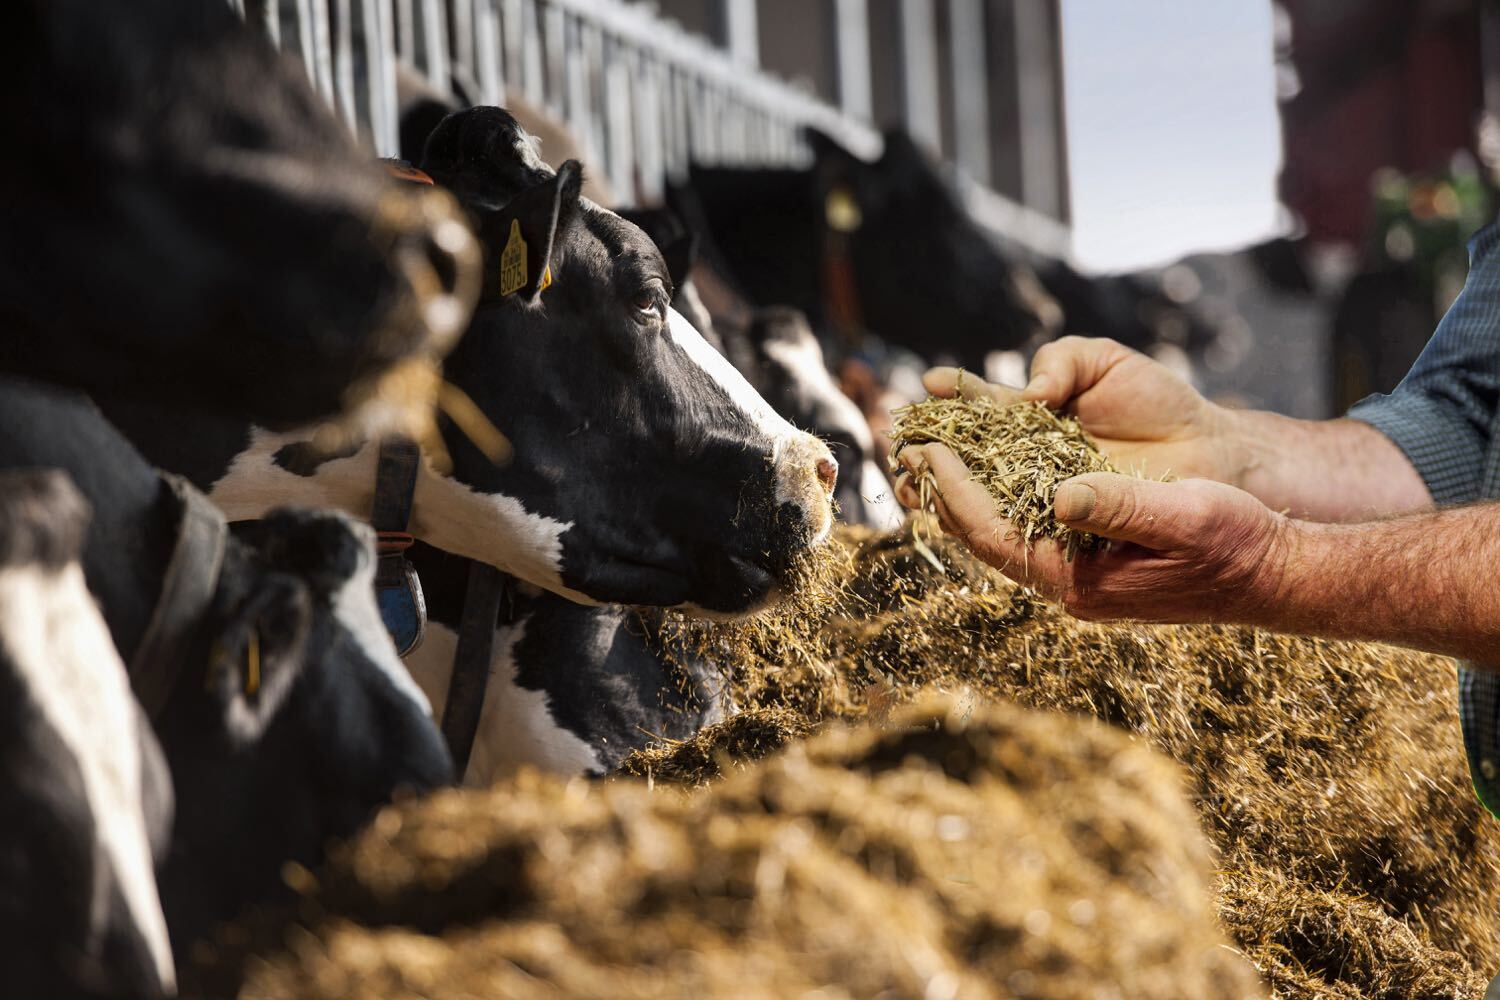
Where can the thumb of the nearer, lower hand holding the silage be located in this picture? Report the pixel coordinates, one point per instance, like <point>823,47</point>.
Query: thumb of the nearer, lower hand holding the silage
<point>1148,513</point>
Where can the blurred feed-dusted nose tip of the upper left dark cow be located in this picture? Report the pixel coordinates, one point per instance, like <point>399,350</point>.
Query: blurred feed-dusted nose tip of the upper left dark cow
<point>440,259</point>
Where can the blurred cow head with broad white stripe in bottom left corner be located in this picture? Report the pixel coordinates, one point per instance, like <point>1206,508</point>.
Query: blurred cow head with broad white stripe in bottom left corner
<point>85,794</point>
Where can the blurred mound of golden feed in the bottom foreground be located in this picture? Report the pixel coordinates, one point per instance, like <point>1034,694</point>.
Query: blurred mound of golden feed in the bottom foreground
<point>950,854</point>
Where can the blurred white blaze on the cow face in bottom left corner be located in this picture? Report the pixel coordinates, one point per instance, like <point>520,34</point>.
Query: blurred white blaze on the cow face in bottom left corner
<point>55,635</point>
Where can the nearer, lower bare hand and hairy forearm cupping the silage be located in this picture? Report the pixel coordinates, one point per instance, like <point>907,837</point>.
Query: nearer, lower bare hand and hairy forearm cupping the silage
<point>1198,551</point>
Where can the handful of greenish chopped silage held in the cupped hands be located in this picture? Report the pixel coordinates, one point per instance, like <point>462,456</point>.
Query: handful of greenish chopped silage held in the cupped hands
<point>1018,452</point>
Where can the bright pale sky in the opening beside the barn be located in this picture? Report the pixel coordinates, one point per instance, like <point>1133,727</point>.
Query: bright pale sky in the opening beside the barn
<point>1174,140</point>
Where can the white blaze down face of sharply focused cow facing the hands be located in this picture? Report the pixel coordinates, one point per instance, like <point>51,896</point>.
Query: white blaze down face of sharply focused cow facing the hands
<point>794,454</point>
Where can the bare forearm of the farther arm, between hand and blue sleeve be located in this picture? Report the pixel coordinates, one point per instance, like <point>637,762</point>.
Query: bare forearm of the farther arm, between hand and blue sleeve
<point>1319,470</point>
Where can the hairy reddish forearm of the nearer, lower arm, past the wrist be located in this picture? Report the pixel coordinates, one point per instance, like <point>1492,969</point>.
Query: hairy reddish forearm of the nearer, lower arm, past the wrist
<point>1424,581</point>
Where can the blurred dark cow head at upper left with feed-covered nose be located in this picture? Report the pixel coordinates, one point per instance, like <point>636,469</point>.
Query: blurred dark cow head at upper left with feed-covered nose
<point>197,226</point>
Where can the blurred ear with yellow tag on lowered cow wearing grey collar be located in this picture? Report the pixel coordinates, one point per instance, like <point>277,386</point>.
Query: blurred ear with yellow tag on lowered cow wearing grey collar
<point>257,657</point>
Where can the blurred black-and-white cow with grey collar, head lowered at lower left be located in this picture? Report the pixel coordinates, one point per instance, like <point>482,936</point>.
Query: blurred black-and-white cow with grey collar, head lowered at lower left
<point>289,717</point>
